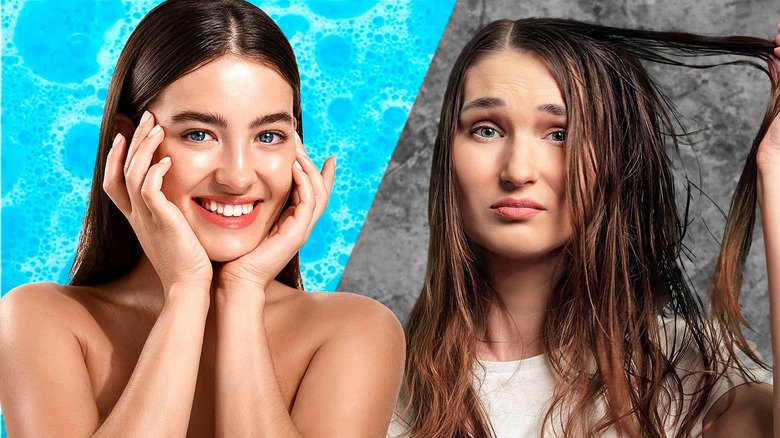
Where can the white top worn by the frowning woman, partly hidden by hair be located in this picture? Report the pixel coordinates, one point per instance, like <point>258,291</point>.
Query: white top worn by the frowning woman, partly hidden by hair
<point>516,394</point>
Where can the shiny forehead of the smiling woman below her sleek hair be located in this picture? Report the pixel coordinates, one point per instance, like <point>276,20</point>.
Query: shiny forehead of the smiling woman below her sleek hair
<point>228,82</point>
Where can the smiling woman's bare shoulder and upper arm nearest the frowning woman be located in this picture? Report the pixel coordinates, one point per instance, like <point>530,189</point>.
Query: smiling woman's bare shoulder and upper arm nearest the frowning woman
<point>352,381</point>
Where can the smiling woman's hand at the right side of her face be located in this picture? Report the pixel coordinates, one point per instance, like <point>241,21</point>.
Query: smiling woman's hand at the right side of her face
<point>311,192</point>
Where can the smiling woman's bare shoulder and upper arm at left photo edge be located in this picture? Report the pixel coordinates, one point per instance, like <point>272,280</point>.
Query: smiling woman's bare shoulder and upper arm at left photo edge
<point>41,349</point>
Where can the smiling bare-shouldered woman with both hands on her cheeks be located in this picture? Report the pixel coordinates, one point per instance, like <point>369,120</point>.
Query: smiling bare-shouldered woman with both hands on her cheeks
<point>186,314</point>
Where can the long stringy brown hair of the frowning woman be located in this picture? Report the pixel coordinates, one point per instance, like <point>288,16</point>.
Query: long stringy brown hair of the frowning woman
<point>602,331</point>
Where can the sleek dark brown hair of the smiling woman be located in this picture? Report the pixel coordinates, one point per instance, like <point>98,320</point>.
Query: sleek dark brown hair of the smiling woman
<point>173,39</point>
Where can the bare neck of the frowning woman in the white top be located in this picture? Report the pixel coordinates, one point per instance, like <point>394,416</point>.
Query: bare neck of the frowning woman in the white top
<point>514,323</point>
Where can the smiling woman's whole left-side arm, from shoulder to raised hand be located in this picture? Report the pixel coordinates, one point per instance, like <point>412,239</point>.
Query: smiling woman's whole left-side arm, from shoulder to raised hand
<point>45,379</point>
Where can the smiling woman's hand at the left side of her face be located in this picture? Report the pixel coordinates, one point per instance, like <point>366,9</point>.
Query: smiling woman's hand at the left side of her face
<point>134,185</point>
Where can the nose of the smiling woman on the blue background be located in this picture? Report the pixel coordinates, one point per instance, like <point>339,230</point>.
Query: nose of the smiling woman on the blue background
<point>235,169</point>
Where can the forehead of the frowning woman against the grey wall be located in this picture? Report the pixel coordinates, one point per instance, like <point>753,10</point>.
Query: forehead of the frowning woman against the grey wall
<point>513,76</point>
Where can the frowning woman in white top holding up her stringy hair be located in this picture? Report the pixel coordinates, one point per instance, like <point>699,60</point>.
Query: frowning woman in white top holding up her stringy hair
<point>554,301</point>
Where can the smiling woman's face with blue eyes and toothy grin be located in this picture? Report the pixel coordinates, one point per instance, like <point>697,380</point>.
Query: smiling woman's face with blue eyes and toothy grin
<point>229,131</point>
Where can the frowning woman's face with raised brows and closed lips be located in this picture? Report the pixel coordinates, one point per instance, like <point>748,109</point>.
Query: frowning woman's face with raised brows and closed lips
<point>508,158</point>
